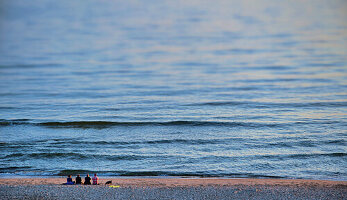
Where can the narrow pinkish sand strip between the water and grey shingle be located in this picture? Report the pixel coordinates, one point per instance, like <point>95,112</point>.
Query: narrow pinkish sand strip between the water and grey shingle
<point>177,182</point>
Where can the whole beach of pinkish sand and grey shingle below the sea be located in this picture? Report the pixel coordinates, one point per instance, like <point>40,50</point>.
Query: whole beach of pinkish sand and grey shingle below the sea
<point>173,188</point>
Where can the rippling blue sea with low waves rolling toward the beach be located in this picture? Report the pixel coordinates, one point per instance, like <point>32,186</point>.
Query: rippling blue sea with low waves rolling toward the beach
<point>174,88</point>
